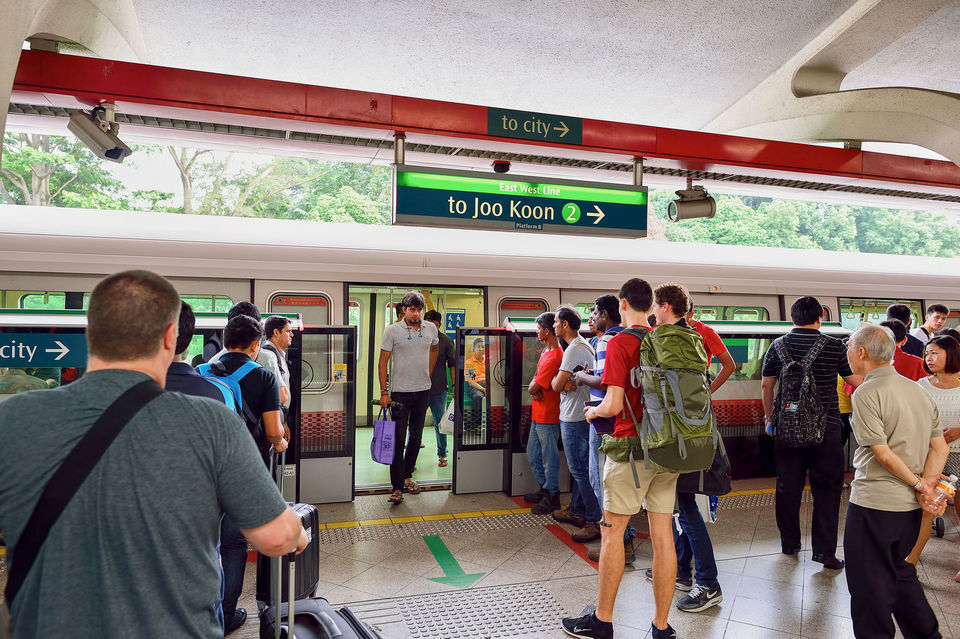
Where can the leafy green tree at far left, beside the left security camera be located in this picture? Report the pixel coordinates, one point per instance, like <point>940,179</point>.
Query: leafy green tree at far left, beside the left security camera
<point>45,170</point>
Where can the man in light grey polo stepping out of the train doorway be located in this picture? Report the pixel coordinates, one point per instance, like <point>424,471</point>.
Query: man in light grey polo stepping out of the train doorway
<point>412,344</point>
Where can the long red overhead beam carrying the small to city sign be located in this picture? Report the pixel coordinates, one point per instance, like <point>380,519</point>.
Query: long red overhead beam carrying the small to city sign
<point>91,80</point>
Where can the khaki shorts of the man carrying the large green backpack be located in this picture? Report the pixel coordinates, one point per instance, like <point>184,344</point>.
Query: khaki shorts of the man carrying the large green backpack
<point>621,495</point>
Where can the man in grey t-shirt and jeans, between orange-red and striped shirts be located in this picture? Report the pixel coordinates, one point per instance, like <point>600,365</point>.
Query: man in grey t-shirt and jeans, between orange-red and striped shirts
<point>584,509</point>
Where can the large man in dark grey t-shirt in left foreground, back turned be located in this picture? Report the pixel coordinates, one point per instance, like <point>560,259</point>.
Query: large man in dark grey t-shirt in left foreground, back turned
<point>134,551</point>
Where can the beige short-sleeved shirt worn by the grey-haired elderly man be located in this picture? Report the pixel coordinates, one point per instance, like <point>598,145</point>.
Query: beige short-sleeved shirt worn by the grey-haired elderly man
<point>890,410</point>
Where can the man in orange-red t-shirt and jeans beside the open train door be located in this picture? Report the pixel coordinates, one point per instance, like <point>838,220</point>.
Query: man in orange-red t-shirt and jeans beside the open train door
<point>542,450</point>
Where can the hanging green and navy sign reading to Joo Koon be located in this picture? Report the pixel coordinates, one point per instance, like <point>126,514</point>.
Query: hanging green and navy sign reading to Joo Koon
<point>437,197</point>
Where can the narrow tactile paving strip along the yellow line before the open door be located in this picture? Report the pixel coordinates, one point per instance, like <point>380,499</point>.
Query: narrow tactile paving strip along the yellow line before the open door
<point>420,528</point>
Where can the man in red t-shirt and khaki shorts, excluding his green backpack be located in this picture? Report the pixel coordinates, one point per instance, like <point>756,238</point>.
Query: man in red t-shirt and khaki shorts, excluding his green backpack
<point>622,497</point>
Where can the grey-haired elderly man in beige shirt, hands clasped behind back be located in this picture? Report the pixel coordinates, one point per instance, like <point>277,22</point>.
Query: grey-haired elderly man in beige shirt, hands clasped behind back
<point>898,464</point>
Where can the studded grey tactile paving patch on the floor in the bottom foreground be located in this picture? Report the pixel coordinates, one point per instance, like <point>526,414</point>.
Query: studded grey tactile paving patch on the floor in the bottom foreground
<point>497,611</point>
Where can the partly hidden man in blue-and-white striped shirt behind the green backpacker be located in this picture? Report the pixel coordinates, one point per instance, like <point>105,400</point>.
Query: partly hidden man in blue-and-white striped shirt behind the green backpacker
<point>606,321</point>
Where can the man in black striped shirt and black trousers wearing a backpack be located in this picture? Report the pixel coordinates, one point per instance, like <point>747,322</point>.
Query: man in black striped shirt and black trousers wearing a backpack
<point>824,462</point>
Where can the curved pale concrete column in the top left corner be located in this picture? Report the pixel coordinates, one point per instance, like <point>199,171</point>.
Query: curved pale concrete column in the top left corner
<point>108,28</point>
